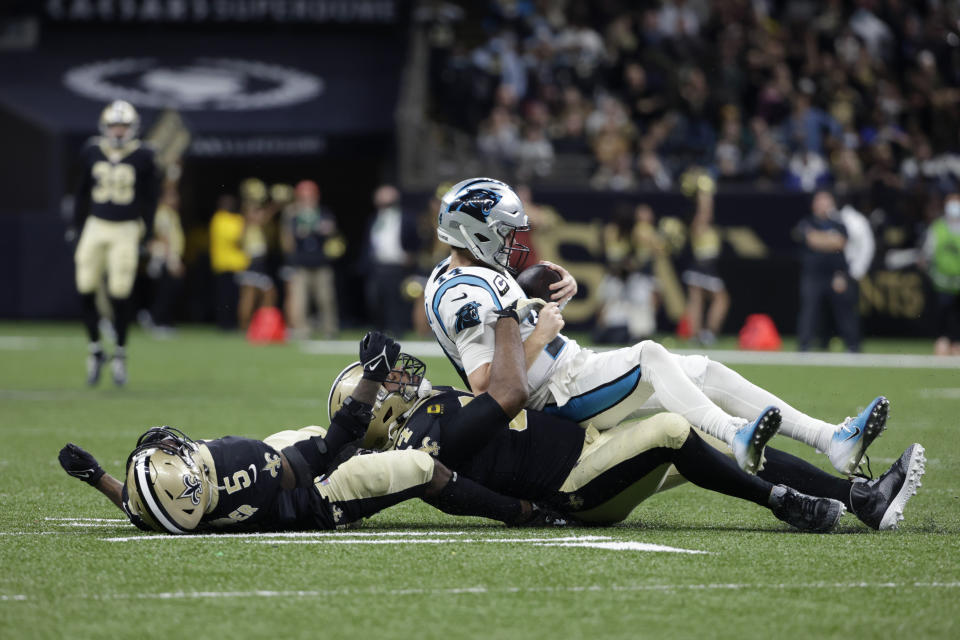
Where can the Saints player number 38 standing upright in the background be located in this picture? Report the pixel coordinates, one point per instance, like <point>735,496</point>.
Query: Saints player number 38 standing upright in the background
<point>114,208</point>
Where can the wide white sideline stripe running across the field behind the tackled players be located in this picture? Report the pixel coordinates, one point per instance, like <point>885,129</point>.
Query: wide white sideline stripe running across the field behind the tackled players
<point>891,360</point>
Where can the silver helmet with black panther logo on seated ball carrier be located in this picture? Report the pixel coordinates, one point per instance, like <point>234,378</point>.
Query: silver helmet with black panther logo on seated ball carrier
<point>482,215</point>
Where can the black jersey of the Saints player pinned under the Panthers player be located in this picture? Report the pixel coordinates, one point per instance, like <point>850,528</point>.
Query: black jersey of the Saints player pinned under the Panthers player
<point>527,457</point>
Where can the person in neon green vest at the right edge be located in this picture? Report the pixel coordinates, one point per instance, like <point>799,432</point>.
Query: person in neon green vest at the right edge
<point>941,253</point>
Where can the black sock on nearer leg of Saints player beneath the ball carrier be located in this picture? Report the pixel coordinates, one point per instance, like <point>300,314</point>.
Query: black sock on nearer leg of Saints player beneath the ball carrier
<point>706,467</point>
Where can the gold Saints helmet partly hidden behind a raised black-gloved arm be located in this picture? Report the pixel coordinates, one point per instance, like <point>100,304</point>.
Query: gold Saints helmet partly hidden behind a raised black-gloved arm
<point>405,386</point>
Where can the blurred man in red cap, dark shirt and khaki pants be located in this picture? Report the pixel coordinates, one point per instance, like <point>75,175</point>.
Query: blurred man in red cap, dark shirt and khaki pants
<point>310,242</point>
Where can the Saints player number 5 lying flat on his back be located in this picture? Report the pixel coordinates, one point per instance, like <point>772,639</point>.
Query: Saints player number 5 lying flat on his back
<point>294,479</point>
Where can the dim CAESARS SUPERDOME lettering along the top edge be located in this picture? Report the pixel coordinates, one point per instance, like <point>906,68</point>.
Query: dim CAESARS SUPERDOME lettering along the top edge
<point>222,11</point>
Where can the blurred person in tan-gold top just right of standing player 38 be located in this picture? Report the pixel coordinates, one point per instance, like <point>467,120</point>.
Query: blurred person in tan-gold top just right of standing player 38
<point>165,266</point>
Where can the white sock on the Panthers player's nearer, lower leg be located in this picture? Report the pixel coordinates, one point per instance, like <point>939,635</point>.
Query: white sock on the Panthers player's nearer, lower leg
<point>677,393</point>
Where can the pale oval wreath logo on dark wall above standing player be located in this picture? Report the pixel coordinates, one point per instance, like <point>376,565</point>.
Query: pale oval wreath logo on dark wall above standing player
<point>219,84</point>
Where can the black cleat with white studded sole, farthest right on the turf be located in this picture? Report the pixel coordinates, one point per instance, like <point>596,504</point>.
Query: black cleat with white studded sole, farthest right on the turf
<point>879,503</point>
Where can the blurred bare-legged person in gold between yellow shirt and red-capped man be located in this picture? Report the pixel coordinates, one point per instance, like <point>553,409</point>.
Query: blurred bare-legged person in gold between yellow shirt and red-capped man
<point>256,283</point>
